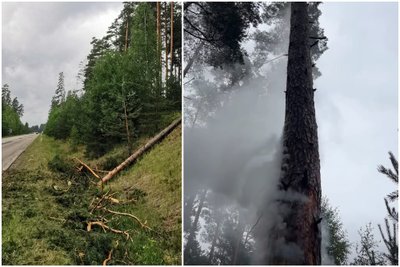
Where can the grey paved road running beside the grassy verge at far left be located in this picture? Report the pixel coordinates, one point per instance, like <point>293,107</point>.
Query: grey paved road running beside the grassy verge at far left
<point>12,147</point>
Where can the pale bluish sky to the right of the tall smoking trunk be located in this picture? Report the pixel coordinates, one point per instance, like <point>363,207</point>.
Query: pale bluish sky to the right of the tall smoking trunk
<point>356,105</point>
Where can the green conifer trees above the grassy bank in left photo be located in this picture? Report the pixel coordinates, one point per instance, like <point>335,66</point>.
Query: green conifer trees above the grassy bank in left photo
<point>127,92</point>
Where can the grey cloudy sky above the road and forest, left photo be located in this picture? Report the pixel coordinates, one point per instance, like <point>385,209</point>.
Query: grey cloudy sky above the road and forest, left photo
<point>39,40</point>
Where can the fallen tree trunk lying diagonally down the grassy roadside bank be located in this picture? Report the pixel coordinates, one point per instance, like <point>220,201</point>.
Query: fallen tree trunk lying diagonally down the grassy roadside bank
<point>141,150</point>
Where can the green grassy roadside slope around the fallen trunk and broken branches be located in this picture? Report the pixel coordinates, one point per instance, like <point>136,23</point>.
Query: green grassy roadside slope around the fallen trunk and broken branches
<point>45,212</point>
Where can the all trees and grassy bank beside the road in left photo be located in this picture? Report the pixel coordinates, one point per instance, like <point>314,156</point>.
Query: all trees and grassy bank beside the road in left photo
<point>55,211</point>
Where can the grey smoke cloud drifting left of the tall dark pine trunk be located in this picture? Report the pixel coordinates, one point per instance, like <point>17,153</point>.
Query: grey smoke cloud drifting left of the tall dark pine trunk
<point>233,145</point>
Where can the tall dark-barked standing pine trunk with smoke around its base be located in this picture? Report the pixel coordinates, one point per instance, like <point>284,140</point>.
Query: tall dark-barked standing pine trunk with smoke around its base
<point>300,180</point>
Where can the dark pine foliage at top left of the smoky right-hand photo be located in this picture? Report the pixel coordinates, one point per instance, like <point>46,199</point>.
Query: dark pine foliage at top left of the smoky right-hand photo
<point>224,43</point>
